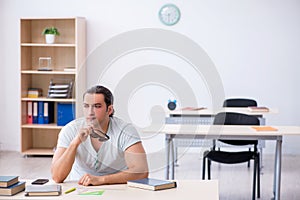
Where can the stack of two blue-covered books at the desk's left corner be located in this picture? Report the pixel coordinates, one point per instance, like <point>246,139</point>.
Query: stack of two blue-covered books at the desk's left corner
<point>10,185</point>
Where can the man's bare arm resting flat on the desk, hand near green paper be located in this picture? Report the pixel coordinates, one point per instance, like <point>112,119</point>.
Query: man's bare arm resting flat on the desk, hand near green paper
<point>136,161</point>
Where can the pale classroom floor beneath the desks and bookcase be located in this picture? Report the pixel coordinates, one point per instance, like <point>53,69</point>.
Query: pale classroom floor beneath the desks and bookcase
<point>235,181</point>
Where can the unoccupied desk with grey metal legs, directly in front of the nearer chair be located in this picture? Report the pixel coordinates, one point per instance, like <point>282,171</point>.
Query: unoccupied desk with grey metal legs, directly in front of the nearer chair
<point>188,131</point>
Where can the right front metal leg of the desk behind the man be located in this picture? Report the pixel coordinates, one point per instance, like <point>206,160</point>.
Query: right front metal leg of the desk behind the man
<point>277,170</point>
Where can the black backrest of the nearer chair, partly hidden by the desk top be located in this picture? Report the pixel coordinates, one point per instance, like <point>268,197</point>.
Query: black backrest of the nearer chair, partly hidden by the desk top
<point>230,118</point>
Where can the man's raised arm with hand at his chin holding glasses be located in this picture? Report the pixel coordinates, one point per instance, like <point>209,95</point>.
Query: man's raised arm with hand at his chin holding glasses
<point>64,158</point>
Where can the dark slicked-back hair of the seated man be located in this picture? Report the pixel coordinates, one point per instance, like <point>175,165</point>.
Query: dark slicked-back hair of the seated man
<point>108,96</point>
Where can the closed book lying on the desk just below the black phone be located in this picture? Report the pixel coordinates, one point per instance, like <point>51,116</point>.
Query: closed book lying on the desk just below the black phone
<point>43,190</point>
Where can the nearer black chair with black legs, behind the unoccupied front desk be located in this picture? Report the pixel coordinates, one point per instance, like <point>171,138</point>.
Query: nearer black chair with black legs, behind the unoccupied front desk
<point>228,118</point>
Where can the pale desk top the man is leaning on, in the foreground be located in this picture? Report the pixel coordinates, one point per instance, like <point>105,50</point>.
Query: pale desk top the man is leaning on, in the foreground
<point>187,189</point>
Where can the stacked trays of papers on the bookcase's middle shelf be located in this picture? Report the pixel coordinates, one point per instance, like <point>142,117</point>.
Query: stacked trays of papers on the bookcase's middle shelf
<point>60,89</point>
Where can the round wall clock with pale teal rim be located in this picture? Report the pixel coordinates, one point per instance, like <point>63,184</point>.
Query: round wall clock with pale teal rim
<point>169,14</point>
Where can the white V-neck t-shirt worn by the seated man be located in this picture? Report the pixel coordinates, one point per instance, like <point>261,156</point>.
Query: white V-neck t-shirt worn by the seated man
<point>110,157</point>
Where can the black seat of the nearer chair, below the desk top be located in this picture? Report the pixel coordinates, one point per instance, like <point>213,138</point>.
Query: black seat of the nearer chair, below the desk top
<point>229,157</point>
